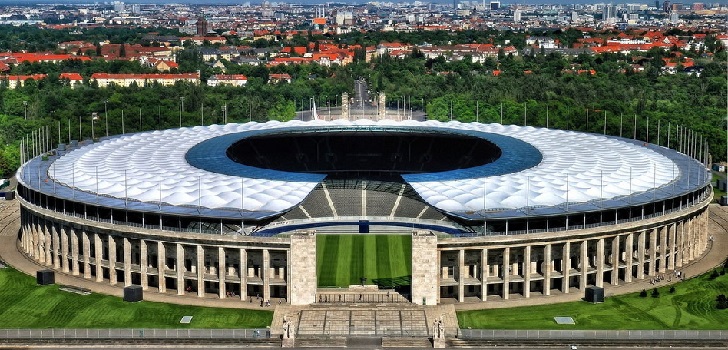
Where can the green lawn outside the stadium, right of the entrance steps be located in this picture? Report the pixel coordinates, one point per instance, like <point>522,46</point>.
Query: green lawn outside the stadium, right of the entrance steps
<point>691,307</point>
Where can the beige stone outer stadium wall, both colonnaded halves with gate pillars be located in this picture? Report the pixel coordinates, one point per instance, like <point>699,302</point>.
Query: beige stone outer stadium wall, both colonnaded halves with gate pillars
<point>465,269</point>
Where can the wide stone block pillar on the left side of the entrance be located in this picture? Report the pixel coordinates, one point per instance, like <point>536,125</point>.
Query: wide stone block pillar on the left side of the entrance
<point>302,276</point>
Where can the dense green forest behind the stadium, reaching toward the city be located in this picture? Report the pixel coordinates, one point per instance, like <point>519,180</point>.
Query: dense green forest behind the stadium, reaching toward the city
<point>533,88</point>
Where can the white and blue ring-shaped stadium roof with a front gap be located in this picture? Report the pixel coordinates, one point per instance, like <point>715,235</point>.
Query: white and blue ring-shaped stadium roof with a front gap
<point>539,172</point>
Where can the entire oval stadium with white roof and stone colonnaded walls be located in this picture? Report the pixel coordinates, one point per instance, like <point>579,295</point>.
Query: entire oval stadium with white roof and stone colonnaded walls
<point>494,211</point>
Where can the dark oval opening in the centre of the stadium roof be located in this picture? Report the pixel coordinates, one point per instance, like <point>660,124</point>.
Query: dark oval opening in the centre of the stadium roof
<point>364,154</point>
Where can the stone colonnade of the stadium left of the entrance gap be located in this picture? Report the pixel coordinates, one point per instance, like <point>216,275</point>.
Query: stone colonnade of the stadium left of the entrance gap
<point>246,270</point>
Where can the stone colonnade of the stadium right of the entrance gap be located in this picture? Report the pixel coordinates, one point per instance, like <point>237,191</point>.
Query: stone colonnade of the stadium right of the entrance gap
<point>543,264</point>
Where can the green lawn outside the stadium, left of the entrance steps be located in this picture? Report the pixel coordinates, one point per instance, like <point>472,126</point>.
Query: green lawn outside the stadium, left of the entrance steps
<point>24,304</point>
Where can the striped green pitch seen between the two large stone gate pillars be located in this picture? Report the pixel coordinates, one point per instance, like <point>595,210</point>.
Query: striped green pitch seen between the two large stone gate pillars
<point>341,260</point>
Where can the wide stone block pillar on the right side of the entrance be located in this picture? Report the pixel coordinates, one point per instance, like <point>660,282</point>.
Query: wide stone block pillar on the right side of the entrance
<point>425,267</point>
